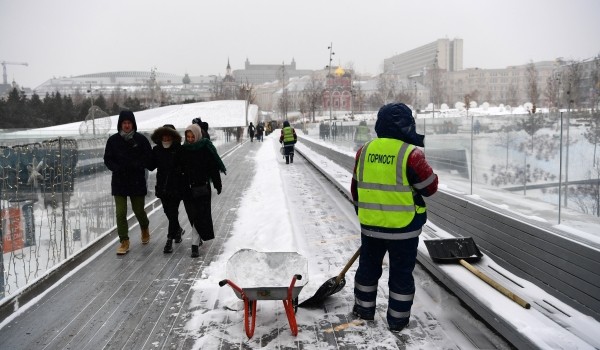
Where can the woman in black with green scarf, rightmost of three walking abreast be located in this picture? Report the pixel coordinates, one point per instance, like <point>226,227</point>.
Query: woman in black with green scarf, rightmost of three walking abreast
<point>200,165</point>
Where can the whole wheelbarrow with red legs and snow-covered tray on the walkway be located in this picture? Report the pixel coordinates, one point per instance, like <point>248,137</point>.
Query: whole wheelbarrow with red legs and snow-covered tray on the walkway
<point>266,276</point>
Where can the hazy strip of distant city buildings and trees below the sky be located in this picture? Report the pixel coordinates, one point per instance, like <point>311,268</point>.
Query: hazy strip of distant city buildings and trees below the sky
<point>426,77</point>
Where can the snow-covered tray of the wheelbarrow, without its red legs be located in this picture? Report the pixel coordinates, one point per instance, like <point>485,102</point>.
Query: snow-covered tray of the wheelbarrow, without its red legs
<point>267,275</point>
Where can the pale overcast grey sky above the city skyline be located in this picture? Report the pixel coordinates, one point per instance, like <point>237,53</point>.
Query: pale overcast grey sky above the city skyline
<point>73,37</point>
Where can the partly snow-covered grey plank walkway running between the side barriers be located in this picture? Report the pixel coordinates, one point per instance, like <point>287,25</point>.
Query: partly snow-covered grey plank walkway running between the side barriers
<point>148,300</point>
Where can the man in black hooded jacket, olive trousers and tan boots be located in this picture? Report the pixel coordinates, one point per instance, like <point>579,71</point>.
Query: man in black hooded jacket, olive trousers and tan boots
<point>127,155</point>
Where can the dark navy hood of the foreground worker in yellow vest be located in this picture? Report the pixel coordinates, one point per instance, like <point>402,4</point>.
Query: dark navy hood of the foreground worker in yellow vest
<point>395,121</point>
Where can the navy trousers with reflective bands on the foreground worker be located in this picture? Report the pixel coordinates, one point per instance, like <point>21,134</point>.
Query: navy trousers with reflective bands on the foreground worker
<point>402,256</point>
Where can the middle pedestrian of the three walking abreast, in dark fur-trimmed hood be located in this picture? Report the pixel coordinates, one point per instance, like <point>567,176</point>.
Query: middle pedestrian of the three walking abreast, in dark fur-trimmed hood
<point>168,179</point>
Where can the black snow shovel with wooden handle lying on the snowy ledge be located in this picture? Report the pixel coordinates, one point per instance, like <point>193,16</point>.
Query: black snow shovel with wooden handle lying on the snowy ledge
<point>464,250</point>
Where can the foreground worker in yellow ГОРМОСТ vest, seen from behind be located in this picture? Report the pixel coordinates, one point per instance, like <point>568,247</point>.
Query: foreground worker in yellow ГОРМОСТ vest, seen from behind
<point>391,177</point>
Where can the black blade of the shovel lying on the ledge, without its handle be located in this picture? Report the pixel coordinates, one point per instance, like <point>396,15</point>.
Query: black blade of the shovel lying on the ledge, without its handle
<point>451,250</point>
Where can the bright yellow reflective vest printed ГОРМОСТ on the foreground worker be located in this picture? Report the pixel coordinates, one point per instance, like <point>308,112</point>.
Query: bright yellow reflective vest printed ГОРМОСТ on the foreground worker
<point>385,198</point>
